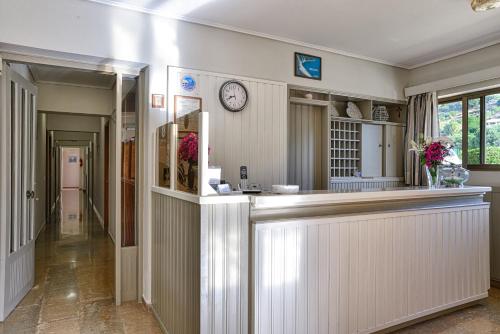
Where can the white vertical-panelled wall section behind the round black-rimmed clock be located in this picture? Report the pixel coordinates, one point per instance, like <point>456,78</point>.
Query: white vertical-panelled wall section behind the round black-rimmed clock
<point>255,137</point>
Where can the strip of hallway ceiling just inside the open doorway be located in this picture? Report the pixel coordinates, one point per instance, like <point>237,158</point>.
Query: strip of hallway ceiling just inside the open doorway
<point>69,76</point>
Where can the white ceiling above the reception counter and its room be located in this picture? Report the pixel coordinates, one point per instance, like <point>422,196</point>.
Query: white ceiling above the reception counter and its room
<point>405,33</point>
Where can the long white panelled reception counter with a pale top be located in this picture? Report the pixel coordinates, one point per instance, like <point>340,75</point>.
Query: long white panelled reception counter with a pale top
<point>316,262</point>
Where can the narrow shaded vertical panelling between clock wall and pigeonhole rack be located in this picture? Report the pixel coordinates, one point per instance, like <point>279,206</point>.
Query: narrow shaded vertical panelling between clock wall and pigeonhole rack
<point>308,146</point>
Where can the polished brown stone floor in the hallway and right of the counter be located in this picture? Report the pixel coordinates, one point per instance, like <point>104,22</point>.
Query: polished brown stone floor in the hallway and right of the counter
<point>73,293</point>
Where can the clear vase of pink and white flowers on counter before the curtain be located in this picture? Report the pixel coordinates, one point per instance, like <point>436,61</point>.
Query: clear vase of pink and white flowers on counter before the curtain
<point>432,152</point>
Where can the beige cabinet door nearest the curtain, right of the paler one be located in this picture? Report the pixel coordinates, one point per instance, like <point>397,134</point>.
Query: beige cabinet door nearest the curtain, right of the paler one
<point>393,155</point>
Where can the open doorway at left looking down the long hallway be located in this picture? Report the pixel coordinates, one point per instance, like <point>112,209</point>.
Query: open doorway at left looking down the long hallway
<point>82,219</point>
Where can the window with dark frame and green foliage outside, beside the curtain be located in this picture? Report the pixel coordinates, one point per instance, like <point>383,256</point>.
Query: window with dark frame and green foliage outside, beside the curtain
<point>477,117</point>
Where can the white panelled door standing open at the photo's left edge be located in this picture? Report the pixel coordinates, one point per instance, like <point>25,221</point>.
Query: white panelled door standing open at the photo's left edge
<point>17,177</point>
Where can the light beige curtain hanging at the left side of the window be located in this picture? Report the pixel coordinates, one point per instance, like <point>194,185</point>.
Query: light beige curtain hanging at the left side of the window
<point>422,118</point>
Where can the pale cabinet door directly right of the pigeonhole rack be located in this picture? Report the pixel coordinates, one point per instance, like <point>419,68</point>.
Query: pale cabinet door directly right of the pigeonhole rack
<point>371,150</point>
